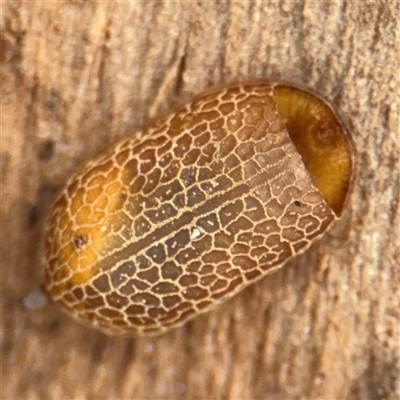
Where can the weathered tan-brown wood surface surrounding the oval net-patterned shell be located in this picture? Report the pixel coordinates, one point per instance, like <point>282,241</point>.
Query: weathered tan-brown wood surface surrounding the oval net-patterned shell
<point>75,75</point>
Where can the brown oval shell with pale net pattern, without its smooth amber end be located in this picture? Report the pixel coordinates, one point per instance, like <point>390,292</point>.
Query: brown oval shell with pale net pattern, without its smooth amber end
<point>166,224</point>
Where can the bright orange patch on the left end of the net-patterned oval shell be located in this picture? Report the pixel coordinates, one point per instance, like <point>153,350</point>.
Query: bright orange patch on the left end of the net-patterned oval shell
<point>85,220</point>
